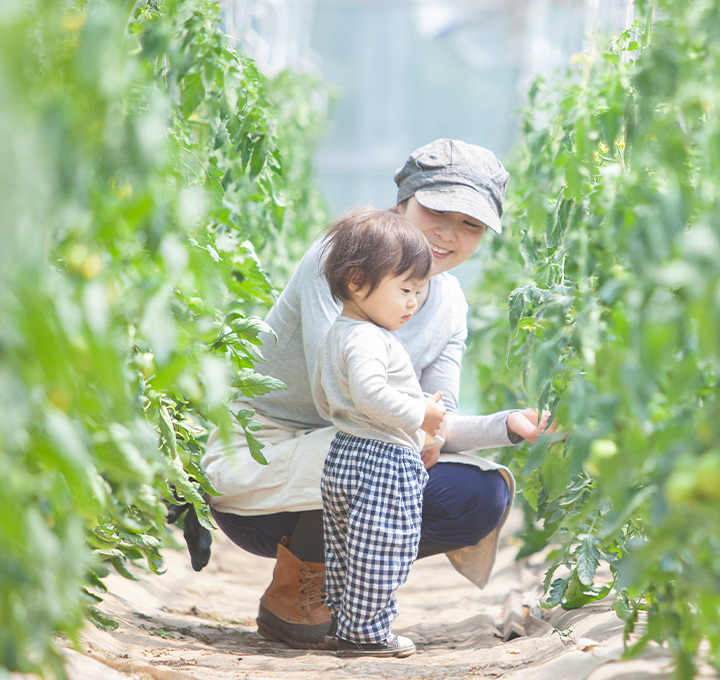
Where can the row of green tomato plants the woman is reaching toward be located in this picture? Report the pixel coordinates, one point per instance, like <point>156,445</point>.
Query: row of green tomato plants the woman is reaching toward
<point>616,195</point>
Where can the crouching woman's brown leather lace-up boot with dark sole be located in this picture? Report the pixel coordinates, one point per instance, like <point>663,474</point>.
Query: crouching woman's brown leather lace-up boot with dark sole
<point>292,610</point>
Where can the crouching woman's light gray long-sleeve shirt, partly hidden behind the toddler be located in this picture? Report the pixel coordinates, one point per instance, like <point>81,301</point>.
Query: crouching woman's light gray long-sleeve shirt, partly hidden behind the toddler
<point>434,339</point>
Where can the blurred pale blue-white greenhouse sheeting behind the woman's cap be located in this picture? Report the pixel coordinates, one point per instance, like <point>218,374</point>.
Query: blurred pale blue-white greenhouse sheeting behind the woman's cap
<point>405,72</point>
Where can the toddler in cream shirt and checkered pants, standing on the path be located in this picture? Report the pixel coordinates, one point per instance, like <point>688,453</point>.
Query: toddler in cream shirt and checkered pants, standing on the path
<point>377,265</point>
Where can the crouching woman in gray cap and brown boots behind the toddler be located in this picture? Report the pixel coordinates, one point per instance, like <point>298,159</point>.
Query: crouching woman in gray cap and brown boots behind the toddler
<point>453,192</point>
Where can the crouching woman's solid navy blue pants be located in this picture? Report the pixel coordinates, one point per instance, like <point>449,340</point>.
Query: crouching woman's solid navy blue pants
<point>461,505</point>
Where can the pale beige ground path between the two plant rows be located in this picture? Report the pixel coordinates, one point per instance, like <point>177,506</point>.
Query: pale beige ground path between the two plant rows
<point>185,625</point>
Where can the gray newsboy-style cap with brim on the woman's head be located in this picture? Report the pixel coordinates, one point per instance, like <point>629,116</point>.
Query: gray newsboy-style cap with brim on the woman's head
<point>452,176</point>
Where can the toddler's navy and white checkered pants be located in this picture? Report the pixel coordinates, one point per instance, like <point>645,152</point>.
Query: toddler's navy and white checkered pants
<point>372,510</point>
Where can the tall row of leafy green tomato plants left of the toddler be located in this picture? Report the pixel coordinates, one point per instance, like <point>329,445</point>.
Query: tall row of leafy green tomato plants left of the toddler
<point>142,172</point>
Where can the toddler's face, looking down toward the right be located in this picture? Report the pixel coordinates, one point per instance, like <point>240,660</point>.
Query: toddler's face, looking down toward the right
<point>391,305</point>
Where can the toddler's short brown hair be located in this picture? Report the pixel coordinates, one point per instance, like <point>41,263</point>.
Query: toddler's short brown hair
<point>366,245</point>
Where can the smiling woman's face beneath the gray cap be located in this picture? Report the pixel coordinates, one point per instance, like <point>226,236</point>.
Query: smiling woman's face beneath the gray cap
<point>453,237</point>
